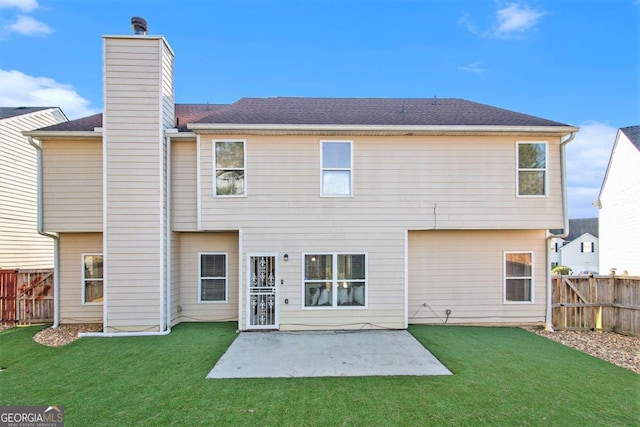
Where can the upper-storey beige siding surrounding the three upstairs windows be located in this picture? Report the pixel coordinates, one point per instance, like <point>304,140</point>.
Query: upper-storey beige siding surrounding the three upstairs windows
<point>397,182</point>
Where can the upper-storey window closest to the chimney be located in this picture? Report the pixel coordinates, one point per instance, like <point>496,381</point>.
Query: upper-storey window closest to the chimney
<point>230,168</point>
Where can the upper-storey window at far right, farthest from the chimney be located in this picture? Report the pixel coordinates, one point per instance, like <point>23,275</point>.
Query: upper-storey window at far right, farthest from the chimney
<point>532,168</point>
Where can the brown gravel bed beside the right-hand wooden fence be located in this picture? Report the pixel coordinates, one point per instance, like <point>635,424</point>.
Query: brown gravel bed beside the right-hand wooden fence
<point>621,350</point>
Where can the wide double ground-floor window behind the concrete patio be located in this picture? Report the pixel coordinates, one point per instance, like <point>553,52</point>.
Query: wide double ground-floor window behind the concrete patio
<point>335,280</point>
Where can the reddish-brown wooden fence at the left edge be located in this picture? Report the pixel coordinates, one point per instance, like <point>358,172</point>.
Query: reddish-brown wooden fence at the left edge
<point>26,296</point>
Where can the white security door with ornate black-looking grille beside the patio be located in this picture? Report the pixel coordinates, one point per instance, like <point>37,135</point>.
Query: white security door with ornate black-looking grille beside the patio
<point>262,292</point>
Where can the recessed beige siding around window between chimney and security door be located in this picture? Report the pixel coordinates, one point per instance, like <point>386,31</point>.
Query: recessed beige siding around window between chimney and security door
<point>191,245</point>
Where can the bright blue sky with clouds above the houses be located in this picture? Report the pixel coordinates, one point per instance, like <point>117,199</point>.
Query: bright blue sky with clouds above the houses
<point>571,61</point>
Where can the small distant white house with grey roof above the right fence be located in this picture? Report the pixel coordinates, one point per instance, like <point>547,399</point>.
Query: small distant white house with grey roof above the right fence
<point>579,250</point>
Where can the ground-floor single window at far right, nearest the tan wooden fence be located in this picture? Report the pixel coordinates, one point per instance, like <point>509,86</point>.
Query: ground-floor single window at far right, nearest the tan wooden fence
<point>518,277</point>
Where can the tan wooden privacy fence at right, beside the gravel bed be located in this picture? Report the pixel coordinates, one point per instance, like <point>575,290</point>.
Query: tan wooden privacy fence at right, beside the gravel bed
<point>599,302</point>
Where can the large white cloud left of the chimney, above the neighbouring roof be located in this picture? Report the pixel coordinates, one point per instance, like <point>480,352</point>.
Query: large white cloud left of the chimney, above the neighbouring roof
<point>19,89</point>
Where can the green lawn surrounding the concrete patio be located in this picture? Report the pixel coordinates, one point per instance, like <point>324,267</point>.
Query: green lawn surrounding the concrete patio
<point>502,376</point>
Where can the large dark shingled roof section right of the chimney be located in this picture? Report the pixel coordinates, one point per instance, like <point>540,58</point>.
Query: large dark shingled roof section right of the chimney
<point>370,111</point>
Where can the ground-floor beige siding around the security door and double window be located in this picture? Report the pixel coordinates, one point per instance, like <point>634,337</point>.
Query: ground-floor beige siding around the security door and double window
<point>385,284</point>
